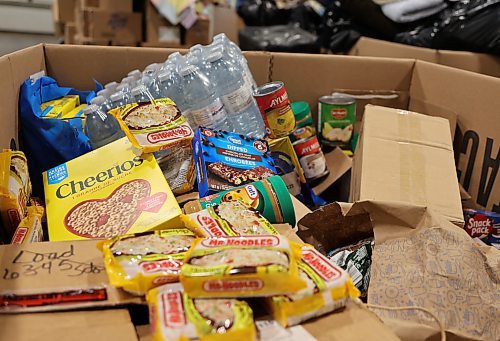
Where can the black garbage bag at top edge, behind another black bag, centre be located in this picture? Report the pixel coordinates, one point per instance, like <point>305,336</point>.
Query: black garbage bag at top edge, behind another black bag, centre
<point>263,13</point>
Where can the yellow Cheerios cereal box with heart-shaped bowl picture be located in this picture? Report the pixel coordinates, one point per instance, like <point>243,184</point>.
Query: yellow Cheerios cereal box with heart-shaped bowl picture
<point>108,192</point>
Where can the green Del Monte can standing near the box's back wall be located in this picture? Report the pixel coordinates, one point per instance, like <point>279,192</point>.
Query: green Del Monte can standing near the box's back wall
<point>336,118</point>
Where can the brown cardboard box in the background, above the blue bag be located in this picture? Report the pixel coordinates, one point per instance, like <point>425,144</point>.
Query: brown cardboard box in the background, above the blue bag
<point>109,25</point>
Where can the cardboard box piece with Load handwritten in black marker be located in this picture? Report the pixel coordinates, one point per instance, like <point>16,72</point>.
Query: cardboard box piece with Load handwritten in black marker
<point>56,276</point>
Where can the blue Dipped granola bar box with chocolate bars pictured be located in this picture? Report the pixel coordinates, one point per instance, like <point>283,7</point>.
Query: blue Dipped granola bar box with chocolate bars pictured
<point>225,160</point>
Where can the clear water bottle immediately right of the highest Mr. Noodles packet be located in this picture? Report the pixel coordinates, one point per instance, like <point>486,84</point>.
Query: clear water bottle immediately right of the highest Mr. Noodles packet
<point>205,108</point>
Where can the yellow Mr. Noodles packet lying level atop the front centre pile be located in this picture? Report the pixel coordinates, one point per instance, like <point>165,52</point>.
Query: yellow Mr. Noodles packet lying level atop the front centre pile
<point>253,266</point>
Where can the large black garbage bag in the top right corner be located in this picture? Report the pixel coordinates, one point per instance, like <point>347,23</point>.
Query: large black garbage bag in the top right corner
<point>469,25</point>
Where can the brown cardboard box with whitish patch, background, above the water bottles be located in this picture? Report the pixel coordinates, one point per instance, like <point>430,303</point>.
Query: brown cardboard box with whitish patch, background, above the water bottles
<point>159,29</point>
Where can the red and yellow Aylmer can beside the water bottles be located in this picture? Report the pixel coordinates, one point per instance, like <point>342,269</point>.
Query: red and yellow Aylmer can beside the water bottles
<point>275,109</point>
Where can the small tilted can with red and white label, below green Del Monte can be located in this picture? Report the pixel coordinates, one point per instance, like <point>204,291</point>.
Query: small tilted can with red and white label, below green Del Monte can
<point>311,158</point>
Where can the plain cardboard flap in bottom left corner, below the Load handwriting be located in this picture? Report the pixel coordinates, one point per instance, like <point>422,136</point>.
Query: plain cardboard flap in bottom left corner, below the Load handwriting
<point>75,326</point>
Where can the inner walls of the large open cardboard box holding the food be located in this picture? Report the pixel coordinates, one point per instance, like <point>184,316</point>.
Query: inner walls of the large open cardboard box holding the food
<point>473,98</point>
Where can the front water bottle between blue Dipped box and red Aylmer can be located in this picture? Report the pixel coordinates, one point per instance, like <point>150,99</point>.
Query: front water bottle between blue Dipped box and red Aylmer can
<point>236,95</point>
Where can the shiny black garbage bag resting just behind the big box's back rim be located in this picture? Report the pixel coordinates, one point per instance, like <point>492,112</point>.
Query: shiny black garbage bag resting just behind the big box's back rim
<point>280,38</point>
